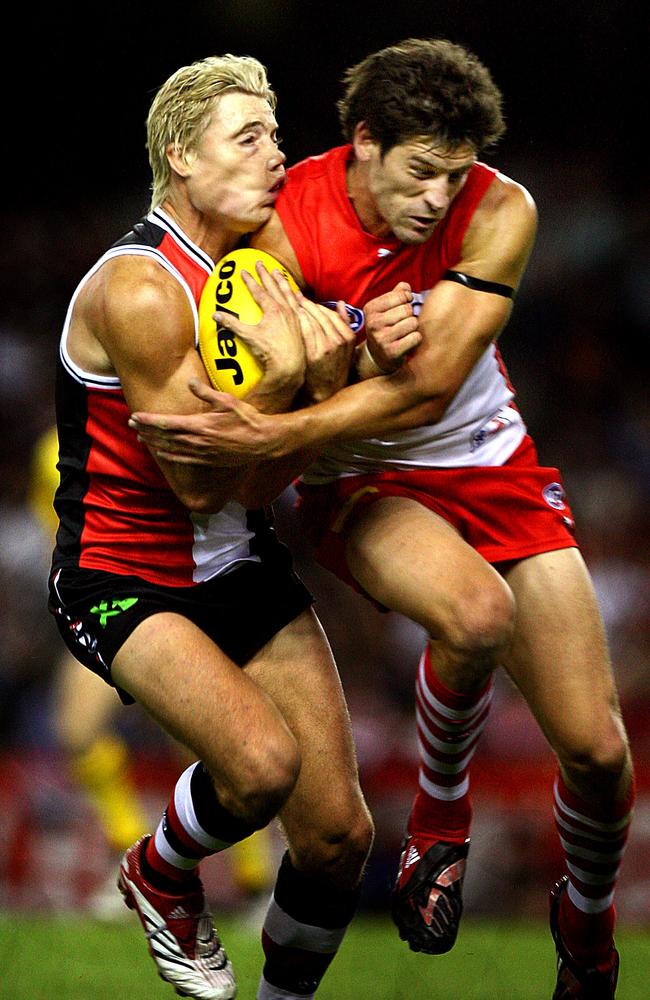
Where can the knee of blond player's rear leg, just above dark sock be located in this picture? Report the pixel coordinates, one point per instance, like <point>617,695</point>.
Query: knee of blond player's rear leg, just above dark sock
<point>339,850</point>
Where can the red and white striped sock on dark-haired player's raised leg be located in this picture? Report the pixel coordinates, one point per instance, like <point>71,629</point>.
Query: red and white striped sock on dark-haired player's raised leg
<point>449,725</point>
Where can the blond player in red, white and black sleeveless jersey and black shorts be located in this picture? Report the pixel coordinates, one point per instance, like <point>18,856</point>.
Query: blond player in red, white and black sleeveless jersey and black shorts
<point>169,582</point>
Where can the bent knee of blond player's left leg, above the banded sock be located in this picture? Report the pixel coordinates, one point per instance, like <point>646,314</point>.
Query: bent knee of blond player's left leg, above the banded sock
<point>265,778</point>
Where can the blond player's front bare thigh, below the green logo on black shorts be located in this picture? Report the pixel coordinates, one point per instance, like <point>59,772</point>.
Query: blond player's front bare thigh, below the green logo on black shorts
<point>202,699</point>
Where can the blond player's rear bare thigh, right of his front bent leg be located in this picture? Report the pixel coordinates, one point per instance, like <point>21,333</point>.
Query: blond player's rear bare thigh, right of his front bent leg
<point>298,671</point>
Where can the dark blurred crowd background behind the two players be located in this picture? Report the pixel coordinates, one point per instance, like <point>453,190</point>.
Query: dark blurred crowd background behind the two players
<point>575,82</point>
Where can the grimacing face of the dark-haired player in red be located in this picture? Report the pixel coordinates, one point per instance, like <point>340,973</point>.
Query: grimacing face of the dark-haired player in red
<point>414,183</point>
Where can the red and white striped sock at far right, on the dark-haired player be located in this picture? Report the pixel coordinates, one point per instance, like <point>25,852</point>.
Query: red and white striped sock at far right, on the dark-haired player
<point>593,841</point>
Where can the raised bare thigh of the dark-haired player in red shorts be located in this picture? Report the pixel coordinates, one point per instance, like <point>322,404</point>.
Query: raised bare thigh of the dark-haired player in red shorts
<point>414,562</point>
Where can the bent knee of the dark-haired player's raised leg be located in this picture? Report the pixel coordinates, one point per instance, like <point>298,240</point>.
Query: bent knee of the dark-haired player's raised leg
<point>481,625</point>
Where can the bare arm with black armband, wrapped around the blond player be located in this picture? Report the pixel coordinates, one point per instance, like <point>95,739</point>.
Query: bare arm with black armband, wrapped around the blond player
<point>456,325</point>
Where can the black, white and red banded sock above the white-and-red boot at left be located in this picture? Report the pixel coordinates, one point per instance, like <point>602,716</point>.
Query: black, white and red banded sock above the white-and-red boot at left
<point>194,826</point>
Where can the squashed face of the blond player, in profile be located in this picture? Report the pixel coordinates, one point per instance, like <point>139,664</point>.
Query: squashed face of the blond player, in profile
<point>237,169</point>
